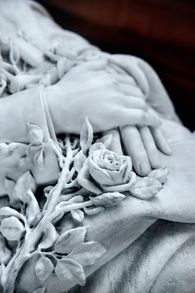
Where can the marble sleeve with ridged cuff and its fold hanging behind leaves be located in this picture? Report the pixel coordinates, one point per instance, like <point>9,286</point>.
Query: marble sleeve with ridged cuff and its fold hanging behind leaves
<point>16,112</point>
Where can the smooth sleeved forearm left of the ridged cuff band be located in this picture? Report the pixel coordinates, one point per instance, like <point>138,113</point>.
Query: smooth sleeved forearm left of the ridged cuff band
<point>16,111</point>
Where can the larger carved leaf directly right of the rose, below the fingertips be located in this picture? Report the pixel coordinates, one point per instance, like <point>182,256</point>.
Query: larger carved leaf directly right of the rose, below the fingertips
<point>145,188</point>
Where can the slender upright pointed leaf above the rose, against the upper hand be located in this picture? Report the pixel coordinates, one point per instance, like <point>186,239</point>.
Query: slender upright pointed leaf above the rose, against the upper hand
<point>86,135</point>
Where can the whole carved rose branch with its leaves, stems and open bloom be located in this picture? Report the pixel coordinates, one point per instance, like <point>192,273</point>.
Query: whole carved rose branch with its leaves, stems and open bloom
<point>92,178</point>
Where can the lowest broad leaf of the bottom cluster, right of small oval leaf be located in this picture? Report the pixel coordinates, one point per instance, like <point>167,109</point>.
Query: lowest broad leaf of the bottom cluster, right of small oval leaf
<point>70,270</point>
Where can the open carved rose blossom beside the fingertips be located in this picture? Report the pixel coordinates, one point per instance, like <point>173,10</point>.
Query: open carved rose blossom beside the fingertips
<point>105,171</point>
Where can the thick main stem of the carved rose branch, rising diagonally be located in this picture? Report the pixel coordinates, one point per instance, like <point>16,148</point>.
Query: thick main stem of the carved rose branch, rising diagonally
<point>11,271</point>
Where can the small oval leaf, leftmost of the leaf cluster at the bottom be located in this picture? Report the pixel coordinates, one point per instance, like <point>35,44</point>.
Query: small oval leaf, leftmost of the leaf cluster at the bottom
<point>43,268</point>
